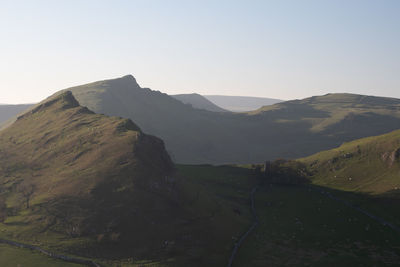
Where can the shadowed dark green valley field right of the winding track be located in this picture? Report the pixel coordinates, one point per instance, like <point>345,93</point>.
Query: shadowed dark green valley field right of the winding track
<point>301,227</point>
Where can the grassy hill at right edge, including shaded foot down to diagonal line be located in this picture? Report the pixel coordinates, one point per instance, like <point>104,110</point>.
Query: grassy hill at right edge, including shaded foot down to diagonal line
<point>366,171</point>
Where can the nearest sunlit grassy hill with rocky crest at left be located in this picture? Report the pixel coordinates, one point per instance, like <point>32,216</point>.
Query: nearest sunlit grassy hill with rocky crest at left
<point>67,171</point>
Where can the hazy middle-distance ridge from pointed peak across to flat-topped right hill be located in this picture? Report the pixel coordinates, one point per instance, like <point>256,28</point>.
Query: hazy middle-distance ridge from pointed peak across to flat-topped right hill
<point>290,129</point>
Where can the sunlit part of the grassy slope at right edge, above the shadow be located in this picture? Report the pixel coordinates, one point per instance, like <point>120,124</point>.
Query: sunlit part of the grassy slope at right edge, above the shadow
<point>369,165</point>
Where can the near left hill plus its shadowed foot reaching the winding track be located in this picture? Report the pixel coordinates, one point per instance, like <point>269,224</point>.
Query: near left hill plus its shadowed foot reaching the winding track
<point>84,184</point>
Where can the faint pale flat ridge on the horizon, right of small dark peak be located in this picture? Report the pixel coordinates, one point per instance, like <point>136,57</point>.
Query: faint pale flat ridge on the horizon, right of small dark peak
<point>241,103</point>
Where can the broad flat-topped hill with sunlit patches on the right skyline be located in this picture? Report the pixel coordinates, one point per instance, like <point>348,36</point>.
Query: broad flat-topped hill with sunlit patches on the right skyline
<point>345,116</point>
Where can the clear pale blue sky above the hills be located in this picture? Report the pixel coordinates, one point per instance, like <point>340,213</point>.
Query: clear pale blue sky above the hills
<point>279,49</point>
